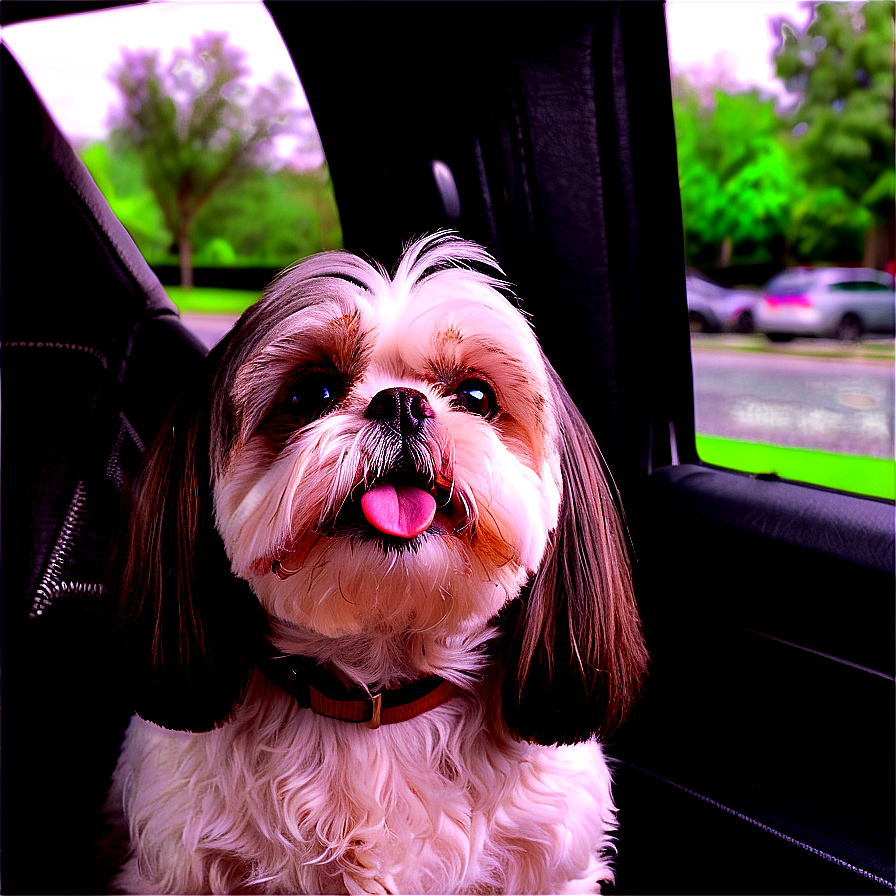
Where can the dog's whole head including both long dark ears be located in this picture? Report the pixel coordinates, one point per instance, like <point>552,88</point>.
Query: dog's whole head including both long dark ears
<point>390,456</point>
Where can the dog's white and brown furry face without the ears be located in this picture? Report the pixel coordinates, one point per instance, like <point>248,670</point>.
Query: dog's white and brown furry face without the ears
<point>391,462</point>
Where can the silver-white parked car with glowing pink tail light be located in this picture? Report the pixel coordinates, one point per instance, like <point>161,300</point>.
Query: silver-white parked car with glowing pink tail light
<point>841,303</point>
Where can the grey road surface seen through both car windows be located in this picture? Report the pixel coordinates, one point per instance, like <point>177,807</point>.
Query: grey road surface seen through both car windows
<point>835,404</point>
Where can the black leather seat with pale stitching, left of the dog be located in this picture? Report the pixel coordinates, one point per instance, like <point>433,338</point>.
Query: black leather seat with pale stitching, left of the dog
<point>93,354</point>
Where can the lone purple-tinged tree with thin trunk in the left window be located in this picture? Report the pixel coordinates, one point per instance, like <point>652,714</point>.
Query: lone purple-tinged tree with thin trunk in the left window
<point>196,126</point>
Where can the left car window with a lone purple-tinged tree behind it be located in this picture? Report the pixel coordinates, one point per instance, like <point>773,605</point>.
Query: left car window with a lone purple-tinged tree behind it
<point>215,214</point>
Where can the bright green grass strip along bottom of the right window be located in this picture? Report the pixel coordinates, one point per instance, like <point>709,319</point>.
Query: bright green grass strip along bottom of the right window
<point>873,476</point>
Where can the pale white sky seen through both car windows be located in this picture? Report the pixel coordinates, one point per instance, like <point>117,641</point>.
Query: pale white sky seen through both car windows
<point>68,59</point>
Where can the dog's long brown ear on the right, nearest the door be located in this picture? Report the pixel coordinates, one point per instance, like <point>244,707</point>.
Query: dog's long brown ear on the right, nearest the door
<point>576,656</point>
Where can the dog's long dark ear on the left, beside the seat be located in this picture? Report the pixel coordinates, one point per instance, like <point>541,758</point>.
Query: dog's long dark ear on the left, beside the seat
<point>189,630</point>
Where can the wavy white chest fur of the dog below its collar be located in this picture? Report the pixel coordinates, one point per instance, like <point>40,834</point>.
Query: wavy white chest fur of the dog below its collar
<point>283,801</point>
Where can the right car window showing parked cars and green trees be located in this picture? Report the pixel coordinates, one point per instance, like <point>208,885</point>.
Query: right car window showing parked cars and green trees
<point>774,104</point>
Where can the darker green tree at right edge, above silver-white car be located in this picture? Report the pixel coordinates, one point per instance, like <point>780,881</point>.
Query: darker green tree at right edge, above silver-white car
<point>841,66</point>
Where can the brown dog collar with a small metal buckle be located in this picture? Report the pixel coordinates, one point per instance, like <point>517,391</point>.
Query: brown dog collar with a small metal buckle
<point>314,688</point>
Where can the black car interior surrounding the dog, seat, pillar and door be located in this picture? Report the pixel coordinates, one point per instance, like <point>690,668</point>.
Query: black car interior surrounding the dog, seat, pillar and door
<point>760,757</point>
